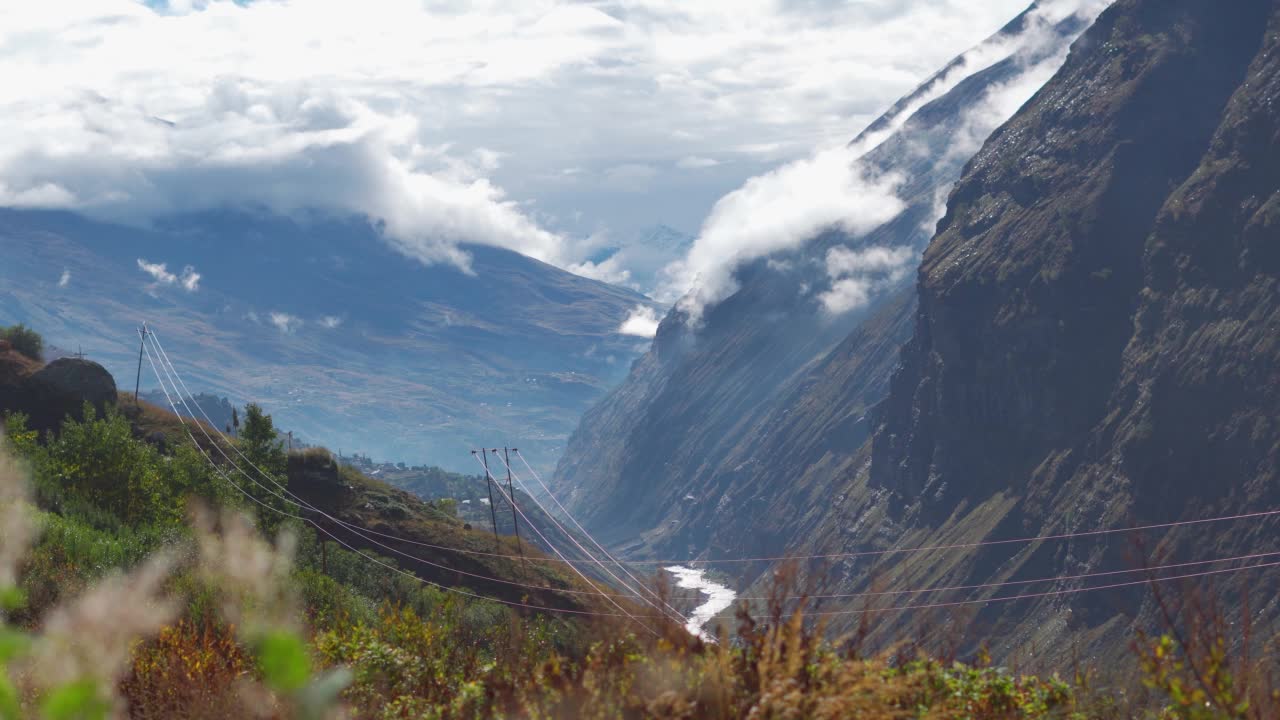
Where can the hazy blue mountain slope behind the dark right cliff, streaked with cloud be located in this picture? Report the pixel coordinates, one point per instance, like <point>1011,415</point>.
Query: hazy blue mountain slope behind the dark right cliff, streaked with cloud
<point>705,436</point>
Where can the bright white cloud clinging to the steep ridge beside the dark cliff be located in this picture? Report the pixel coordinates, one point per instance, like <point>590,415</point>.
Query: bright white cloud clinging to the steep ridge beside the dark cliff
<point>788,207</point>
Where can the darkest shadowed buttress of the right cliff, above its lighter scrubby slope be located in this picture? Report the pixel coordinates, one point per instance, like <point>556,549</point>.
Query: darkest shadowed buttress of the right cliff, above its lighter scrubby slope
<point>1028,293</point>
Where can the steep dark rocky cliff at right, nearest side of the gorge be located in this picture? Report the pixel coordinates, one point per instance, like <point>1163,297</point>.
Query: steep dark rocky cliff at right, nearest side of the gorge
<point>1098,345</point>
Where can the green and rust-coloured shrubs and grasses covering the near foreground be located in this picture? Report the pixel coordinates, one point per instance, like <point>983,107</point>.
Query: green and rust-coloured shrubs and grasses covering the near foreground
<point>136,582</point>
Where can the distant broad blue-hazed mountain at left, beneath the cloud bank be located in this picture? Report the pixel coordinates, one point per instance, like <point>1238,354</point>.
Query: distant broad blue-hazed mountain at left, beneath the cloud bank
<point>326,325</point>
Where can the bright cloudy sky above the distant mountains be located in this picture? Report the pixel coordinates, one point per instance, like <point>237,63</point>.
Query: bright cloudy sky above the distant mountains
<point>552,127</point>
